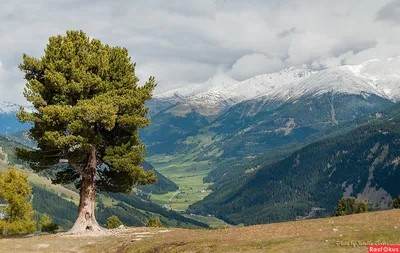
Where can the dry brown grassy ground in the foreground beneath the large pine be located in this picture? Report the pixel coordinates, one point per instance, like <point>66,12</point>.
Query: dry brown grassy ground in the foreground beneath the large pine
<point>337,234</point>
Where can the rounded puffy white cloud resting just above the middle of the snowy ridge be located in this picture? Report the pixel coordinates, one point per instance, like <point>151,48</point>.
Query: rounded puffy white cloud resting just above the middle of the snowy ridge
<point>253,64</point>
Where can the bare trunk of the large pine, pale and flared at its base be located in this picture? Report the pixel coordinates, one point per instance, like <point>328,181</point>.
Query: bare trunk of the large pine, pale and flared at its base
<point>86,220</point>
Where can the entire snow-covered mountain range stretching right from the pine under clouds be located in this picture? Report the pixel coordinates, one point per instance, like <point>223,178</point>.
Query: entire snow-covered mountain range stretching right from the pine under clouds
<point>381,78</point>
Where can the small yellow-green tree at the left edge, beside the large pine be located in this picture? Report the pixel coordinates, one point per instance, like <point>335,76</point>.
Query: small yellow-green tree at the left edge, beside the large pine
<point>16,192</point>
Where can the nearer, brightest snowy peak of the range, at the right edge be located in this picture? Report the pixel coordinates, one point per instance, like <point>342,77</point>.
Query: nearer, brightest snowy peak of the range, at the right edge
<point>381,78</point>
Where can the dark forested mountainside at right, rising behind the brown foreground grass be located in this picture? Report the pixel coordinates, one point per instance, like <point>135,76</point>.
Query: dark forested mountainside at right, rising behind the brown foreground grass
<point>362,163</point>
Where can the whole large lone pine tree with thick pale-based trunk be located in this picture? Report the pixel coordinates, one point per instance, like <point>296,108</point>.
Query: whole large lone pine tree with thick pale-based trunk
<point>89,108</point>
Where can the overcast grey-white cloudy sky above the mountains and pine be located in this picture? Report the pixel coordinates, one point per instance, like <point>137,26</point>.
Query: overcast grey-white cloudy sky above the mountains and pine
<point>183,42</point>
